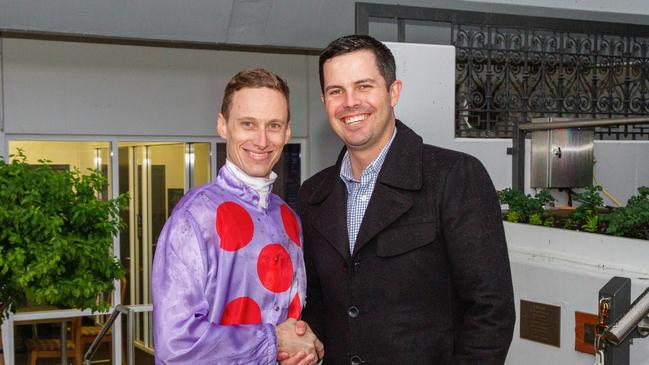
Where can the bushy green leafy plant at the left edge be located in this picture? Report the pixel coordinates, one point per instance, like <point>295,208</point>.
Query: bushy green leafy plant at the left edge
<point>55,237</point>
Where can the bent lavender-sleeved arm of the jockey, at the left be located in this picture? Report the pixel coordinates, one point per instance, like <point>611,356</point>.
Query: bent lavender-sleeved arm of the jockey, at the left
<point>183,332</point>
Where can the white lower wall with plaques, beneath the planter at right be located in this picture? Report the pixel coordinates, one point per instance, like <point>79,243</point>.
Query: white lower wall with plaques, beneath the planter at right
<point>567,269</point>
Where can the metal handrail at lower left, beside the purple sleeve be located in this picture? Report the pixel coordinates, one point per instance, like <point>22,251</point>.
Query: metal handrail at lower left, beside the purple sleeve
<point>129,311</point>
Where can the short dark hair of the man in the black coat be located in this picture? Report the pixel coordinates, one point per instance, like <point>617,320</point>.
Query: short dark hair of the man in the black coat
<point>356,42</point>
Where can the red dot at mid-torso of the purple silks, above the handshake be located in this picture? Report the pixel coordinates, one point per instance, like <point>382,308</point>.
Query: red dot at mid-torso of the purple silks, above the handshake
<point>275,268</point>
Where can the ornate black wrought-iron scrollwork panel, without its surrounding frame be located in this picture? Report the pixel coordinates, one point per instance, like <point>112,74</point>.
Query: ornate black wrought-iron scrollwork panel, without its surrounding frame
<point>504,75</point>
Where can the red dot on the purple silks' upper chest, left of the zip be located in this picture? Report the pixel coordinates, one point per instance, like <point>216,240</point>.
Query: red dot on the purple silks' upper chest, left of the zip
<point>234,226</point>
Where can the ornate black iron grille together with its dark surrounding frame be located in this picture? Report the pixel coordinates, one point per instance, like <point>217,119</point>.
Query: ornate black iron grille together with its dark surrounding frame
<point>512,68</point>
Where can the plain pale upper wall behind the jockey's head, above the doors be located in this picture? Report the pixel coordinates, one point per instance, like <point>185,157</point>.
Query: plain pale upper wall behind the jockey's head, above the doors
<point>83,88</point>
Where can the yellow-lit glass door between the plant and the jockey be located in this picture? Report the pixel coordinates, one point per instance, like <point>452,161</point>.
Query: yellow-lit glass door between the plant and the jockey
<point>156,175</point>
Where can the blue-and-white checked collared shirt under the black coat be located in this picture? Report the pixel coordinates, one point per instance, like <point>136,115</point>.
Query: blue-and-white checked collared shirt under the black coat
<point>360,192</point>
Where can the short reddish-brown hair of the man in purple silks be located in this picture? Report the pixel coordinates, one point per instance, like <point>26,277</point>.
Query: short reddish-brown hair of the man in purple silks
<point>253,78</point>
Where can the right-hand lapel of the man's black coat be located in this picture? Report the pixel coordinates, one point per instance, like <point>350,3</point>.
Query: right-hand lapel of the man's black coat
<point>401,172</point>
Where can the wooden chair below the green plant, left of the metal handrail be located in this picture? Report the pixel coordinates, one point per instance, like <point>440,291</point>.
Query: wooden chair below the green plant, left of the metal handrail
<point>51,348</point>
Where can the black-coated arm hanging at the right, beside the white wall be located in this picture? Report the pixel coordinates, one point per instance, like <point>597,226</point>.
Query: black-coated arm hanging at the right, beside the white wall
<point>475,240</point>
